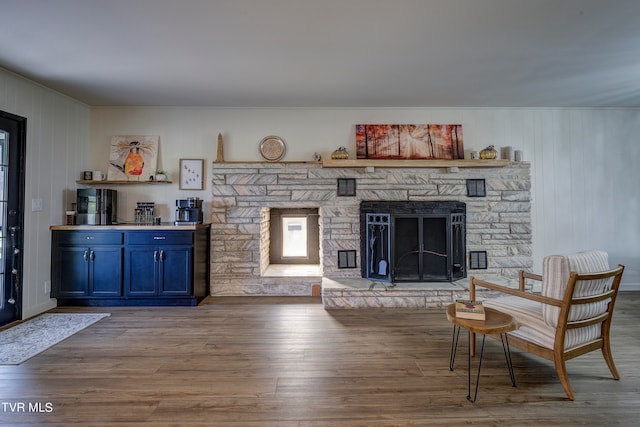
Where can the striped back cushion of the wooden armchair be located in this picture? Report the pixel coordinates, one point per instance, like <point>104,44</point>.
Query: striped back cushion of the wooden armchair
<point>555,275</point>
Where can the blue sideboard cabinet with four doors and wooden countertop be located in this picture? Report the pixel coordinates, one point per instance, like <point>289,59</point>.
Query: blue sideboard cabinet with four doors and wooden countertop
<point>130,267</point>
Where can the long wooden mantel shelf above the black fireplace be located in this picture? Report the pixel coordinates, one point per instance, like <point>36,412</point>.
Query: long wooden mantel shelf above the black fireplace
<point>463,163</point>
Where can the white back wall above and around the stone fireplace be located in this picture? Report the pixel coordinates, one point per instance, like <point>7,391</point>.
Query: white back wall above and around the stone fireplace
<point>584,178</point>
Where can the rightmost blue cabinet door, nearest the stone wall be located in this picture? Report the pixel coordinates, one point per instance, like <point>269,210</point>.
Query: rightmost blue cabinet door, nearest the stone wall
<point>175,270</point>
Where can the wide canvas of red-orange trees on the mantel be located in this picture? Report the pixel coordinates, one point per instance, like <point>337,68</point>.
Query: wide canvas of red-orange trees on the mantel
<point>410,142</point>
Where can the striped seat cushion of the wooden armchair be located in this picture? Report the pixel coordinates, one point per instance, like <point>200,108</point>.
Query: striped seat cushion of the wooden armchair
<point>533,328</point>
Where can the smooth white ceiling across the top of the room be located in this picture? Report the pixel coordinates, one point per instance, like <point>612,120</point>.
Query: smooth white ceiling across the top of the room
<point>329,53</point>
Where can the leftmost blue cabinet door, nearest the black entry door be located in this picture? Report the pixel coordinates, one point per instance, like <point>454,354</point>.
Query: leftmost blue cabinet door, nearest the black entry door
<point>72,271</point>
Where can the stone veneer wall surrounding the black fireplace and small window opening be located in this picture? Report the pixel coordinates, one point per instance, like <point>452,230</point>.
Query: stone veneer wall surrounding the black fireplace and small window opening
<point>243,193</point>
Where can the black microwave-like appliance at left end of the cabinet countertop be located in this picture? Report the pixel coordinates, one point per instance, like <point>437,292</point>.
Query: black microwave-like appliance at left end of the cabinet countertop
<point>97,206</point>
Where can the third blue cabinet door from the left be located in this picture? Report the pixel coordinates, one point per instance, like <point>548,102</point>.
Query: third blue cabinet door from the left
<point>141,276</point>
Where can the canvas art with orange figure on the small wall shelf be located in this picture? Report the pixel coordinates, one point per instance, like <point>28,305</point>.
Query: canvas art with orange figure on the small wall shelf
<point>133,157</point>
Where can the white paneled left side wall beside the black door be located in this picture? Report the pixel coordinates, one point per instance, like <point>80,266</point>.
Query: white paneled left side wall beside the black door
<point>57,141</point>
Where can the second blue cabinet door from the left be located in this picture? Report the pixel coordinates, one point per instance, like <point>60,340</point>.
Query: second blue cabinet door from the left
<point>105,275</point>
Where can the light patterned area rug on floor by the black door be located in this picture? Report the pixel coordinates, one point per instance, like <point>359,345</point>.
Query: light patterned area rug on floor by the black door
<point>22,342</point>
